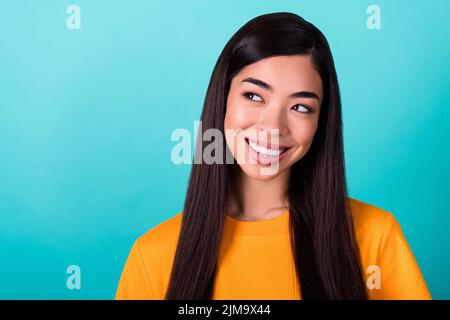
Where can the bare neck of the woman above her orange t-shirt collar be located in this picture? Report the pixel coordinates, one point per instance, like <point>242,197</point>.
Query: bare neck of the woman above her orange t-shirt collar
<point>253,200</point>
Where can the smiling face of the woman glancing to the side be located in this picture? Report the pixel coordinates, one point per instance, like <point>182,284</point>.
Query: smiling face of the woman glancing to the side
<point>273,103</point>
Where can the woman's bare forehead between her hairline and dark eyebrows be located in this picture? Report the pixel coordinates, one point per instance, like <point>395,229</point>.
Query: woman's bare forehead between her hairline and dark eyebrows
<point>285,73</point>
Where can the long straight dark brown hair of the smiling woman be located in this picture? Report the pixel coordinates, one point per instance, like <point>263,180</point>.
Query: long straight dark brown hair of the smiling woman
<point>323,241</point>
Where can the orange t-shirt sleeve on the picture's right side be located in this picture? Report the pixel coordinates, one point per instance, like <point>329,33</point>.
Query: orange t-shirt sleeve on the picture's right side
<point>401,278</point>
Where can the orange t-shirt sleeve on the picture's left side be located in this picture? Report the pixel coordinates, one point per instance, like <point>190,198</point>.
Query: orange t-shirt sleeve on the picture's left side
<point>134,283</point>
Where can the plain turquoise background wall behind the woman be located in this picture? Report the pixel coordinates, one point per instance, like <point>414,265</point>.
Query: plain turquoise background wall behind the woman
<point>86,118</point>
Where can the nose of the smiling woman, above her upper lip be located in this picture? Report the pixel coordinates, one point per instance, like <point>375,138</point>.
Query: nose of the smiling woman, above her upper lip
<point>273,120</point>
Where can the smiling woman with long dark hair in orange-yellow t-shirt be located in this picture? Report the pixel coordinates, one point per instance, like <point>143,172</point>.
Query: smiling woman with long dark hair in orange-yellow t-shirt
<point>287,233</point>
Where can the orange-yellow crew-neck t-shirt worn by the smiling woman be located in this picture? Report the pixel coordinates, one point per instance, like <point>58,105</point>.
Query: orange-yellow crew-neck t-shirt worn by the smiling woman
<point>256,262</point>
